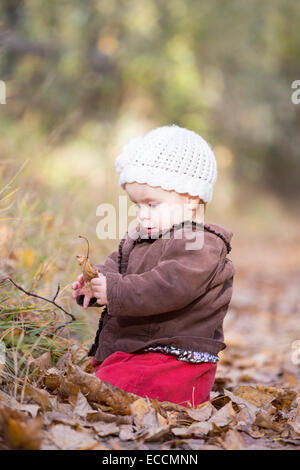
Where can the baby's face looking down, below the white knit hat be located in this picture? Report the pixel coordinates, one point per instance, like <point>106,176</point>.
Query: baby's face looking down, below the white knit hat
<point>159,209</point>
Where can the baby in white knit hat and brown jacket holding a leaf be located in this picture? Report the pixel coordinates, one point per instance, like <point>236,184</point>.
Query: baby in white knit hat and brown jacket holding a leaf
<point>165,297</point>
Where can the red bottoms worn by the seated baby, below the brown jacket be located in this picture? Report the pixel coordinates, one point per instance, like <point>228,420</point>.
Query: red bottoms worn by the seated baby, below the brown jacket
<point>156,375</point>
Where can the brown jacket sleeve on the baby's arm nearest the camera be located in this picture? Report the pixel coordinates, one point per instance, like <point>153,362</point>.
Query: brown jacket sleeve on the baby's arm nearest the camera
<point>181,276</point>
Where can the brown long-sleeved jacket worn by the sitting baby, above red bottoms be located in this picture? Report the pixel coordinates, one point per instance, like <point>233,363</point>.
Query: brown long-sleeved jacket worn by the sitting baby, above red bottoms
<point>160,292</point>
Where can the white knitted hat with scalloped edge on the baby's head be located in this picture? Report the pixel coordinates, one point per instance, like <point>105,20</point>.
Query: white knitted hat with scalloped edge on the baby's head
<point>171,157</point>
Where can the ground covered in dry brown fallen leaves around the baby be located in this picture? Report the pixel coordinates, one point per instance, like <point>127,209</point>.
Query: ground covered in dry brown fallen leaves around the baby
<point>255,402</point>
